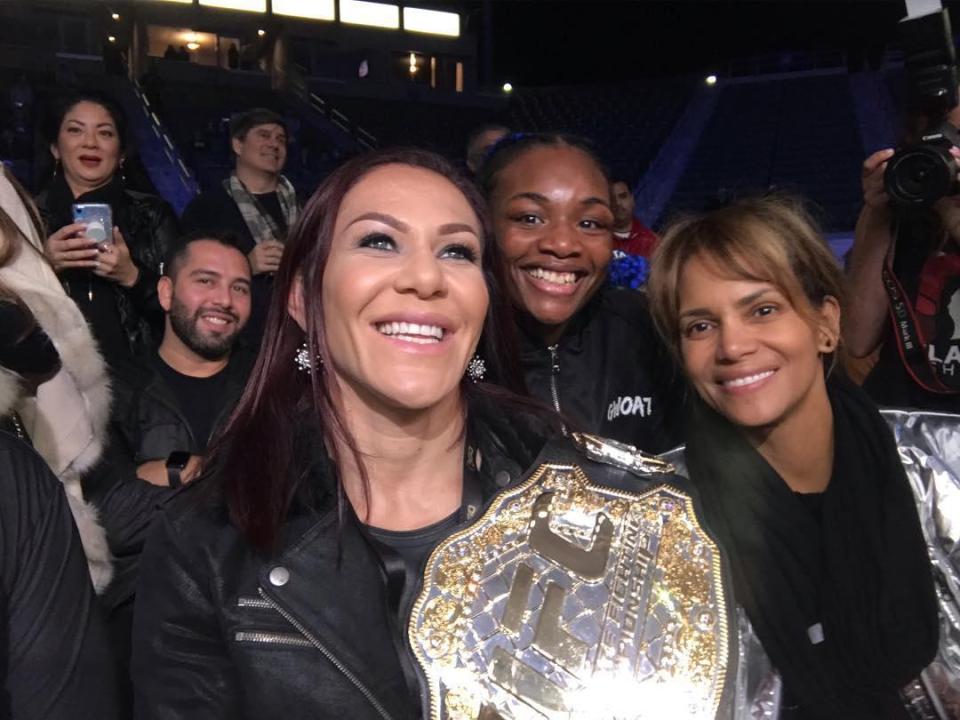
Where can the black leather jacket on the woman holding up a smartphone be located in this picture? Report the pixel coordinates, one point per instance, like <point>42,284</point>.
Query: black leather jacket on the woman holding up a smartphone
<point>150,228</point>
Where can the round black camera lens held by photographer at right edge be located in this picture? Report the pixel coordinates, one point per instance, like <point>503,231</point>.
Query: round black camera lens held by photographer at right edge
<point>920,175</point>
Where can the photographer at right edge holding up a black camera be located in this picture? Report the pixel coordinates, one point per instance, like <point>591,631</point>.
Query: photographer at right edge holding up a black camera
<point>905,260</point>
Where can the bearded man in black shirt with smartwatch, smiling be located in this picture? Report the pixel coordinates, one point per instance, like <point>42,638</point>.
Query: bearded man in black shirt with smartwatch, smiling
<point>167,409</point>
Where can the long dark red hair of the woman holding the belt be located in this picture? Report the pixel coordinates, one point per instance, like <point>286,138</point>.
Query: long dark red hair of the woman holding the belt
<point>253,459</point>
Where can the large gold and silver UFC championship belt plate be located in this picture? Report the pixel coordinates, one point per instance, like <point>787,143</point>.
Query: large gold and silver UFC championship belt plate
<point>567,599</point>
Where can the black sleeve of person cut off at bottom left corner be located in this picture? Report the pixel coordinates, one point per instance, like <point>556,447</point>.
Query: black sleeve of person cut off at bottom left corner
<point>55,660</point>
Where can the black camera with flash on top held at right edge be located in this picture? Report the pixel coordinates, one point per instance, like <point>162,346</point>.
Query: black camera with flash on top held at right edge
<point>922,173</point>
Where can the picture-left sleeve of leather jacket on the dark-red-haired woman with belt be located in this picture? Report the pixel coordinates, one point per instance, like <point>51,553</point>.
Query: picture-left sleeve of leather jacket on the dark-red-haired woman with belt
<point>181,668</point>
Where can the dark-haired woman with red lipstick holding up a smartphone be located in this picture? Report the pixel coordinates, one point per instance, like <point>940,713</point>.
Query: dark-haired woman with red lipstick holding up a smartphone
<point>113,282</point>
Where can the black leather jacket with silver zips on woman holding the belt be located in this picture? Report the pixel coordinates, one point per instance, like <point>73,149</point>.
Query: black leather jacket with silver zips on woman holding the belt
<point>222,631</point>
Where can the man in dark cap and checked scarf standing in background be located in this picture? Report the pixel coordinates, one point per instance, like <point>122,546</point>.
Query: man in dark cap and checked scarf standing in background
<point>257,202</point>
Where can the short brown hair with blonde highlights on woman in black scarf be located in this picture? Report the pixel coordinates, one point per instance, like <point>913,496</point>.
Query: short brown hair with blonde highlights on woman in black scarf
<point>764,239</point>
